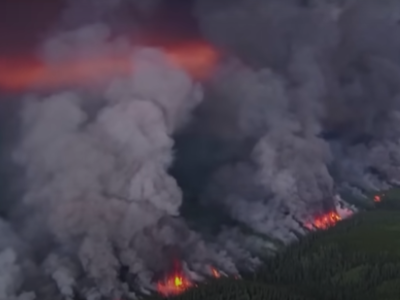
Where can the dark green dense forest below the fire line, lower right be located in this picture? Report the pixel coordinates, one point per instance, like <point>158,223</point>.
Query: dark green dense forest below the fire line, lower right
<point>359,258</point>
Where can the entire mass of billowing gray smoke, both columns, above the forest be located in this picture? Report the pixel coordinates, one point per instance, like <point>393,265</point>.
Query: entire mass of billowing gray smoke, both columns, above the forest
<point>305,105</point>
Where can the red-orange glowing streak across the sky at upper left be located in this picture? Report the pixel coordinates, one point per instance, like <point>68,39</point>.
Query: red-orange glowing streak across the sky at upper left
<point>23,73</point>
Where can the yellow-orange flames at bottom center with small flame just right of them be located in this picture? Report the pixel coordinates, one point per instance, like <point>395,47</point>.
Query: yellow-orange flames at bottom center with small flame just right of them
<point>177,282</point>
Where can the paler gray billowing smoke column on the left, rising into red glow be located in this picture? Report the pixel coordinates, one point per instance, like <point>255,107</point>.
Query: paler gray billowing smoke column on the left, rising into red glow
<point>96,175</point>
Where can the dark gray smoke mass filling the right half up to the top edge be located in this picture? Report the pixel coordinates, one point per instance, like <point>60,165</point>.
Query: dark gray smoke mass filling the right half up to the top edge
<point>314,98</point>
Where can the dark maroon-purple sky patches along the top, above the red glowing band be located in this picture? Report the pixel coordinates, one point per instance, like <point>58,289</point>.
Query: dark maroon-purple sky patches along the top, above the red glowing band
<point>25,23</point>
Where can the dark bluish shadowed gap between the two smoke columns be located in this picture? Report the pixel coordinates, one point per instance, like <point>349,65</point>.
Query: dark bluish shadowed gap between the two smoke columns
<point>198,154</point>
